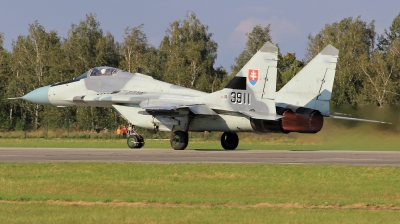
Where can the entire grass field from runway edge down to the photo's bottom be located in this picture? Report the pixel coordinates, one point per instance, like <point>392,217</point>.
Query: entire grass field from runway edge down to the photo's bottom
<point>210,193</point>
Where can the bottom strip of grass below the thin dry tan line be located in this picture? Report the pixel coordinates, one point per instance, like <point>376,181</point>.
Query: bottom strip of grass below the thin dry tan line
<point>45,213</point>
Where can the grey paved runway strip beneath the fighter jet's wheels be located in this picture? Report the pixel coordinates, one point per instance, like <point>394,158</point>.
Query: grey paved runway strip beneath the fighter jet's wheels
<point>199,156</point>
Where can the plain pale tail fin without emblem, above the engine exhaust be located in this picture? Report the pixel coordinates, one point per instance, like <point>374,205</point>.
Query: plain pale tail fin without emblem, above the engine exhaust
<point>312,86</point>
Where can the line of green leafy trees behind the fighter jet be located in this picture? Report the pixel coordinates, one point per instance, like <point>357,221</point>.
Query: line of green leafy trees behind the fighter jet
<point>367,71</point>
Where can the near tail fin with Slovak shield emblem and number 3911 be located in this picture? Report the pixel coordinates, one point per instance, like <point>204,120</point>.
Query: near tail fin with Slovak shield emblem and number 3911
<point>252,91</point>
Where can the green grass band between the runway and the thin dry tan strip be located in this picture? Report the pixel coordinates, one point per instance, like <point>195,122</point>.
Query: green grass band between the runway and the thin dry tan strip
<point>201,183</point>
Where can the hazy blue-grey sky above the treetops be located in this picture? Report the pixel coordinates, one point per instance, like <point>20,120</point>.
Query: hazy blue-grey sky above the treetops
<point>229,21</point>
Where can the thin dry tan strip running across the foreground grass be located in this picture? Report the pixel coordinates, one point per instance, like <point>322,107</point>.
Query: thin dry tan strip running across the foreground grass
<point>205,205</point>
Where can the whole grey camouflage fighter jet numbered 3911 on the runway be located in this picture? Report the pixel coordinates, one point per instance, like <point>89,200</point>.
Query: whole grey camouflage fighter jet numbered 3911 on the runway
<point>249,103</point>
